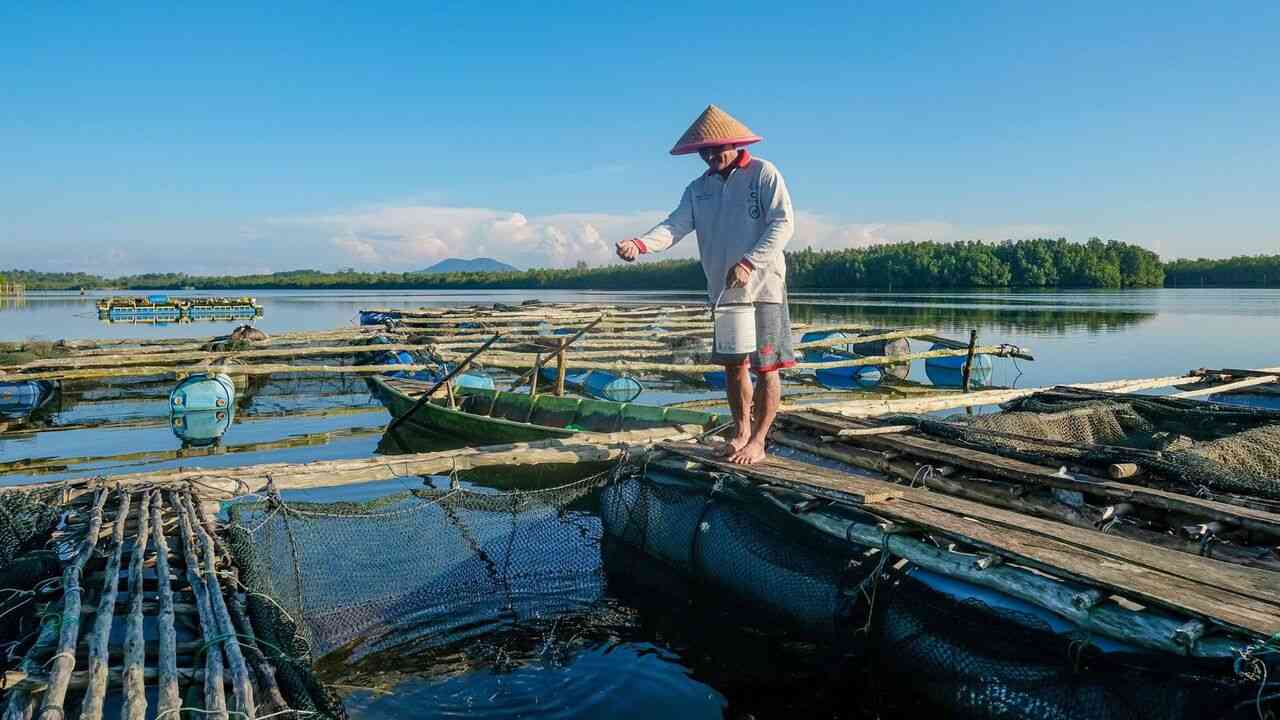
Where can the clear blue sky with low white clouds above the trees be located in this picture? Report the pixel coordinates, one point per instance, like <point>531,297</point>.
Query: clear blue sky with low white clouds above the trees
<point>392,135</point>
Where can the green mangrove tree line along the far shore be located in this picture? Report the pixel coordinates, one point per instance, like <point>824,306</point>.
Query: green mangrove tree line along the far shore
<point>911,266</point>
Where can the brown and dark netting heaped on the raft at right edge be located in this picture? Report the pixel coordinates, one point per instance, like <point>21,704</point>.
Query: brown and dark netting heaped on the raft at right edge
<point>1204,448</point>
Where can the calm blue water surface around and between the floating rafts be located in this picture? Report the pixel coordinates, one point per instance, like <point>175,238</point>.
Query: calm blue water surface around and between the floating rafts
<point>647,645</point>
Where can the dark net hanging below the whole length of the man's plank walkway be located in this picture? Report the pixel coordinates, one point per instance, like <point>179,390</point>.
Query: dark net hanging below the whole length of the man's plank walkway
<point>924,653</point>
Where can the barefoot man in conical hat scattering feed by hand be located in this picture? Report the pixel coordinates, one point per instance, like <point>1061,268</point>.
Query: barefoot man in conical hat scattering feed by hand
<point>742,213</point>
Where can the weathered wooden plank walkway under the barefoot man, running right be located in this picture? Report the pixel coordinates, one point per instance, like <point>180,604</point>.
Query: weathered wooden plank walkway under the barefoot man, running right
<point>1242,599</point>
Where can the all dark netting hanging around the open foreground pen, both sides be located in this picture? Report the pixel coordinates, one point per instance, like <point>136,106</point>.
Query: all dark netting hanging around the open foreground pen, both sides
<point>381,585</point>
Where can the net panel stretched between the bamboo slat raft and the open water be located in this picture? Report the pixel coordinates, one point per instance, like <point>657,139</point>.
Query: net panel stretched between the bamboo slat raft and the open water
<point>409,572</point>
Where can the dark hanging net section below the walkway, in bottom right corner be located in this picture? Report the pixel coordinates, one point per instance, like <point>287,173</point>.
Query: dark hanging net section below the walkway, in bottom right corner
<point>977,662</point>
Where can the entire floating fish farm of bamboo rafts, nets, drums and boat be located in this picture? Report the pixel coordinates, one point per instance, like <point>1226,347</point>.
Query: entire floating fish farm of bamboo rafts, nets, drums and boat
<point>1092,550</point>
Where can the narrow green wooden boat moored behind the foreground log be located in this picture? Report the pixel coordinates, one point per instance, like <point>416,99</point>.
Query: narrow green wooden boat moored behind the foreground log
<point>497,417</point>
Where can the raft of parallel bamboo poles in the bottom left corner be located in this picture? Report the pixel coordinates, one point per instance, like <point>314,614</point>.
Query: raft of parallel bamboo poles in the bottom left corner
<point>163,549</point>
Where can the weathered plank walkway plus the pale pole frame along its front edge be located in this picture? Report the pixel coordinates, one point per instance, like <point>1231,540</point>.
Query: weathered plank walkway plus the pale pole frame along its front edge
<point>1240,603</point>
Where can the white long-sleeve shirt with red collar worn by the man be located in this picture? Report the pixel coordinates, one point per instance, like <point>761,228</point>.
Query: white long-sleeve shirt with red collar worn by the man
<point>744,217</point>
